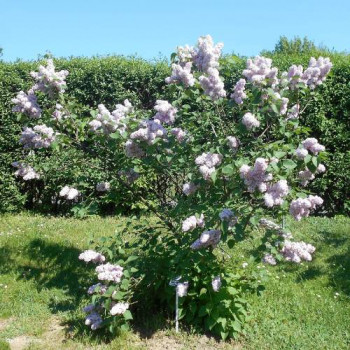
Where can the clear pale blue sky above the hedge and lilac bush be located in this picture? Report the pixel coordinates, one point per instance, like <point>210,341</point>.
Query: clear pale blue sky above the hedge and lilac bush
<point>154,28</point>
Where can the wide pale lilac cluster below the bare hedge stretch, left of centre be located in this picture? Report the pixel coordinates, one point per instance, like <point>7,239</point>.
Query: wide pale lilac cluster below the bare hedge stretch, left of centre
<point>111,121</point>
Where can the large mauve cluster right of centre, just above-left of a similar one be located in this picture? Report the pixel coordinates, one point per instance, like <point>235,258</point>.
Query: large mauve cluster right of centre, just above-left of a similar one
<point>256,177</point>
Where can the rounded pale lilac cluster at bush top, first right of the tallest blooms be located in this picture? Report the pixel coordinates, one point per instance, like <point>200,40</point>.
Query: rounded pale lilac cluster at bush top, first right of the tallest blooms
<point>260,72</point>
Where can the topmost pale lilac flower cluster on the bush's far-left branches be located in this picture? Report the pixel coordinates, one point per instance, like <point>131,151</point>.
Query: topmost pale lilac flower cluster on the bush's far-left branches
<point>48,80</point>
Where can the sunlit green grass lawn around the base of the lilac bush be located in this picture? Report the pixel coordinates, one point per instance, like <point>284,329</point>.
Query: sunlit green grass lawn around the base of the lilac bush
<point>43,287</point>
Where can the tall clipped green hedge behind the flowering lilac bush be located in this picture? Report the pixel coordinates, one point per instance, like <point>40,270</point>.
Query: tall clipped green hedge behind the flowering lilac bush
<point>110,80</point>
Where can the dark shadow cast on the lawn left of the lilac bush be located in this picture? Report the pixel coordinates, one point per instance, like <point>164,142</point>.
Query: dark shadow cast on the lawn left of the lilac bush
<point>50,266</point>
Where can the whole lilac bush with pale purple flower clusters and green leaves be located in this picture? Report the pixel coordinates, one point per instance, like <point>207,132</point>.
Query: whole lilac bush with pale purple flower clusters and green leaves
<point>234,160</point>
